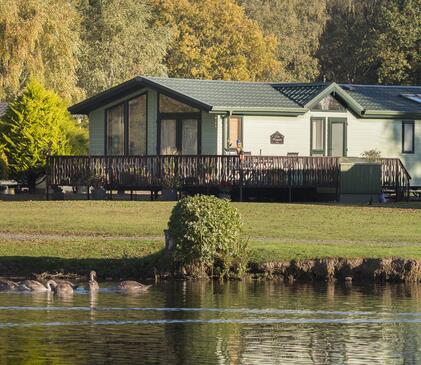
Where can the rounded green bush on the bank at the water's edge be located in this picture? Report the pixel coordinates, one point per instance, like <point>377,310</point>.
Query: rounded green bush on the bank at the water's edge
<point>207,237</point>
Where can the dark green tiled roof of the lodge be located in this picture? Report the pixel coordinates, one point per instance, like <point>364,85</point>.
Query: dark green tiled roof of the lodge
<point>264,97</point>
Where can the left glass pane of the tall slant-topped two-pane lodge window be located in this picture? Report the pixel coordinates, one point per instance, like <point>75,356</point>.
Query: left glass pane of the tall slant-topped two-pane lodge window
<point>115,130</point>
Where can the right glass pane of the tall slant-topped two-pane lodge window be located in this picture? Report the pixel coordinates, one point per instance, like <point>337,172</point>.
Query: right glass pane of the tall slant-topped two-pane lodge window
<point>137,125</point>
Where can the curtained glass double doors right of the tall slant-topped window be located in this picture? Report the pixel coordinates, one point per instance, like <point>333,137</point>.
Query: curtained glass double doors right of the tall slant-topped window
<point>179,136</point>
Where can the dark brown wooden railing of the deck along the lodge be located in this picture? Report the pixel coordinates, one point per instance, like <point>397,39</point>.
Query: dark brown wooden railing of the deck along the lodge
<point>224,172</point>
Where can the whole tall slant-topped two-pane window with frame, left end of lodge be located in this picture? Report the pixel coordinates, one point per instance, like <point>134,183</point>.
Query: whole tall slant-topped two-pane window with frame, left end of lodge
<point>126,127</point>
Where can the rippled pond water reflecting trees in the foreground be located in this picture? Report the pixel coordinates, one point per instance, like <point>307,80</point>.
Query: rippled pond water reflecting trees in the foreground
<point>211,323</point>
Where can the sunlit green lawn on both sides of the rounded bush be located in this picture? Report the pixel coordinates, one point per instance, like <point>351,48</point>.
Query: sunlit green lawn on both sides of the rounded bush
<point>65,232</point>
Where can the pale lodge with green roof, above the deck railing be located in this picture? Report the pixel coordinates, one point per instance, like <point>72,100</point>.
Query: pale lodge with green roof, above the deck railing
<point>163,116</point>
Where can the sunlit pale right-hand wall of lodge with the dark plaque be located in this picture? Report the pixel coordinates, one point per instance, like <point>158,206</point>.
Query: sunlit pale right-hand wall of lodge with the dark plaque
<point>385,135</point>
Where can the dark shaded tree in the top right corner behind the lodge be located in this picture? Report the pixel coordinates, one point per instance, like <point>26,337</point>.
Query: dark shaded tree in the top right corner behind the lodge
<point>375,41</point>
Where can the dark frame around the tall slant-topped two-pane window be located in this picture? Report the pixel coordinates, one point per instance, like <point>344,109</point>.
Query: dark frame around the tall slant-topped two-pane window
<point>125,104</point>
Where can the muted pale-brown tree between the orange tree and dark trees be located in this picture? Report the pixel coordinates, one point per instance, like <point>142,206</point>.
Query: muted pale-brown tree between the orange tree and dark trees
<point>298,26</point>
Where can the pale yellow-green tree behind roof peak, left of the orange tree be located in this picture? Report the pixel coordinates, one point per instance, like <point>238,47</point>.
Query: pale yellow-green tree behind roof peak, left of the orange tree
<point>119,42</point>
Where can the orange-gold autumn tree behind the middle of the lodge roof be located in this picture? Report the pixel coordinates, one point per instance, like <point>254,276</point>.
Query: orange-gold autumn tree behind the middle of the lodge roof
<point>214,39</point>
